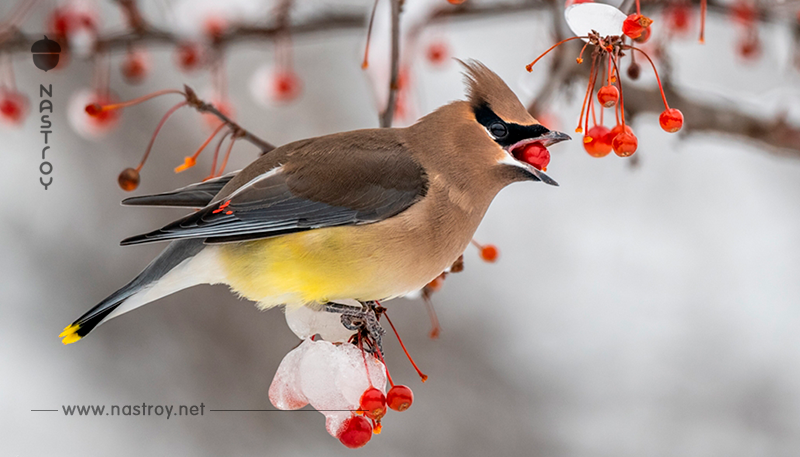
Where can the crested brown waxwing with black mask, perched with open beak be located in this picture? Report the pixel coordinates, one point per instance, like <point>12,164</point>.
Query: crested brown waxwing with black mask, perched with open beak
<point>365,215</point>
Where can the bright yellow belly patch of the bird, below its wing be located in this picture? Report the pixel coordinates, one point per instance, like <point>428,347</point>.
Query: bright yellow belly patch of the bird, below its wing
<point>313,266</point>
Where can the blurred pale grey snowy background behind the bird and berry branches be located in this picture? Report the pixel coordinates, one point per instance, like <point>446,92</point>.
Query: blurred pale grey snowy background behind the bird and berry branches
<point>634,311</point>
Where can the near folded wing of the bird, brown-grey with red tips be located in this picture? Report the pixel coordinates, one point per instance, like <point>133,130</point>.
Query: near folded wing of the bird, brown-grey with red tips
<point>320,184</point>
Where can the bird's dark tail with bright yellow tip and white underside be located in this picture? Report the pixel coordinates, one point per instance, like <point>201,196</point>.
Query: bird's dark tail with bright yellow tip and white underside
<point>175,269</point>
